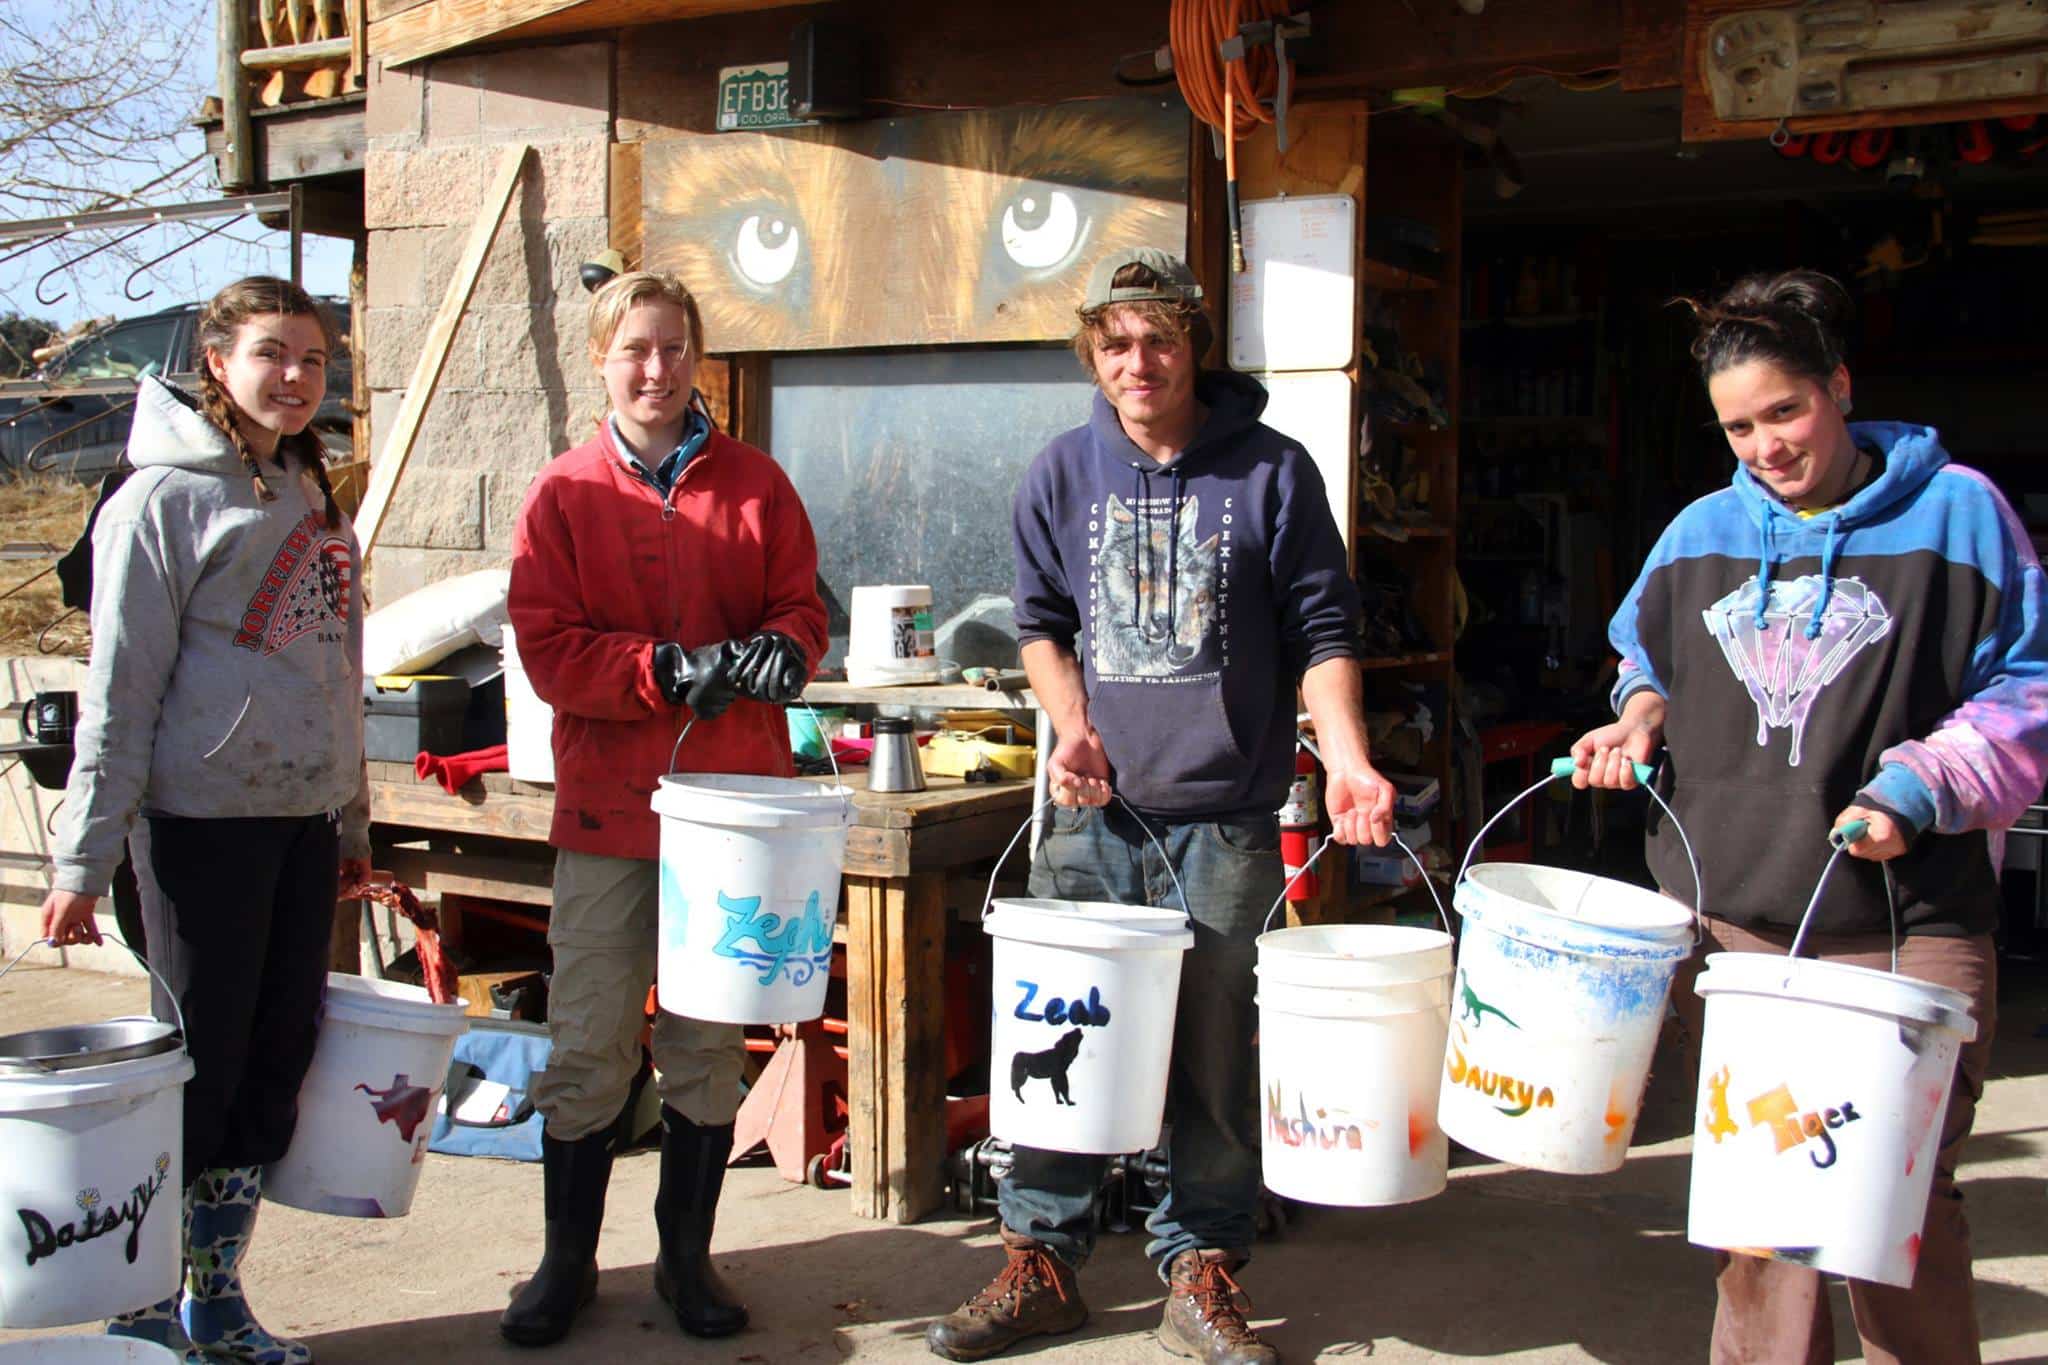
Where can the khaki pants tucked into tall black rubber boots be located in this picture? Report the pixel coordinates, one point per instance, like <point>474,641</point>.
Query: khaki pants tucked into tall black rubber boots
<point>605,936</point>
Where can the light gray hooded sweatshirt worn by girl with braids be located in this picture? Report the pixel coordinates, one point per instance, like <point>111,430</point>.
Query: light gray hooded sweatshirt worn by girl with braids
<point>226,650</point>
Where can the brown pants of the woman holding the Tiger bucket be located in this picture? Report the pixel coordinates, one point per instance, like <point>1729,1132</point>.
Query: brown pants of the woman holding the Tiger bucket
<point>1775,1311</point>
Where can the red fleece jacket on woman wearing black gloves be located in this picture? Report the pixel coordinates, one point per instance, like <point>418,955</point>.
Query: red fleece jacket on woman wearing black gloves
<point>605,570</point>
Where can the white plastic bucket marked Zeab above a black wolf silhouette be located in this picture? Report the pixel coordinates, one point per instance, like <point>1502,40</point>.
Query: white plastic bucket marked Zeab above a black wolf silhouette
<point>1084,1022</point>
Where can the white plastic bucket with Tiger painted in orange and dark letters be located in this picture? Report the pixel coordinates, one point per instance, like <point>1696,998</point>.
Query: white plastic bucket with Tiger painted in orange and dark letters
<point>1822,1100</point>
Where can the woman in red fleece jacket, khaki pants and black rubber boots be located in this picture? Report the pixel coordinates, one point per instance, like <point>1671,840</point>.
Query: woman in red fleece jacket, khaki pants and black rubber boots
<point>665,576</point>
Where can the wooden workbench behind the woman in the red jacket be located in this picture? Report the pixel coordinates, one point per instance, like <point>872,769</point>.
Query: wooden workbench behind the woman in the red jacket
<point>490,840</point>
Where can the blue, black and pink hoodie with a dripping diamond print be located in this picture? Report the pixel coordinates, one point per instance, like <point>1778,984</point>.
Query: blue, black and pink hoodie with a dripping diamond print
<point>1889,652</point>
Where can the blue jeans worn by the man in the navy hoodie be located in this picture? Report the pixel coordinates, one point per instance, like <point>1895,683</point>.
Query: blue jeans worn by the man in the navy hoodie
<point>1232,877</point>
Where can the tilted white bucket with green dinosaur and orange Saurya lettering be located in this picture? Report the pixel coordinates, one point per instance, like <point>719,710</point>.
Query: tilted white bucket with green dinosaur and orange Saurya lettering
<point>1555,1014</point>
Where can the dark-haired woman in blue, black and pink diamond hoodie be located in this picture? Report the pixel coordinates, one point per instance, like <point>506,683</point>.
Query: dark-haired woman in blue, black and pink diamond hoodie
<point>1850,631</point>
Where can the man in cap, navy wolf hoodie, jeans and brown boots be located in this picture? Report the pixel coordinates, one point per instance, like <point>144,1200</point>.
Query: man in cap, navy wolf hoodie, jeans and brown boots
<point>1179,576</point>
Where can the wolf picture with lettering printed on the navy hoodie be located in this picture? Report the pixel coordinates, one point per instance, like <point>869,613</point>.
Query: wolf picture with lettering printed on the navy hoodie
<point>1156,597</point>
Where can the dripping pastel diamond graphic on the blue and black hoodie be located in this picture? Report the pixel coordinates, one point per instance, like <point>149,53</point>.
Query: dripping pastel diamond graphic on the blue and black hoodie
<point>1773,656</point>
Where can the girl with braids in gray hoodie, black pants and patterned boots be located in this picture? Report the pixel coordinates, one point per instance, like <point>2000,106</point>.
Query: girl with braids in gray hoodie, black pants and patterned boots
<point>224,707</point>
